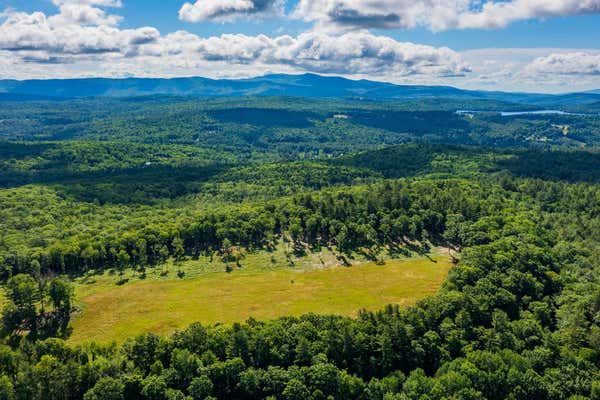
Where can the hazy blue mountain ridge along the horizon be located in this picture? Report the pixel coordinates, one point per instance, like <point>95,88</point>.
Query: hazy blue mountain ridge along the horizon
<point>307,85</point>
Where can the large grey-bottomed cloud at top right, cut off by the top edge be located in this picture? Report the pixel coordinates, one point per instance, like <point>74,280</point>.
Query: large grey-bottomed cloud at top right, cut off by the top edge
<point>437,15</point>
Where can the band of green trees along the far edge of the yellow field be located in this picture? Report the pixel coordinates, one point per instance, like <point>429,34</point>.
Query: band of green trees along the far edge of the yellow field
<point>385,214</point>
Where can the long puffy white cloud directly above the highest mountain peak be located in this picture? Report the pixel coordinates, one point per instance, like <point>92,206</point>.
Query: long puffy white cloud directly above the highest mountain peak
<point>351,53</point>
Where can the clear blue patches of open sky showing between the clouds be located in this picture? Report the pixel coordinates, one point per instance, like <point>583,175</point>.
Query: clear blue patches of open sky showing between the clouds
<point>566,32</point>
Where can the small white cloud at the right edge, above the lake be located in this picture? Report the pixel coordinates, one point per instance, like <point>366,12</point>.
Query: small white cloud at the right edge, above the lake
<point>576,63</point>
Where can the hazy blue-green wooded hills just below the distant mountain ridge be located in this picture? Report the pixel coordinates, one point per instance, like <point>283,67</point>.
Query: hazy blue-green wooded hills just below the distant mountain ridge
<point>294,127</point>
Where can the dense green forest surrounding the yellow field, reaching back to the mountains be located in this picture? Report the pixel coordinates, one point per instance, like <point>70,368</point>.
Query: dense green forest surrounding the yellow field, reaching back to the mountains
<point>87,188</point>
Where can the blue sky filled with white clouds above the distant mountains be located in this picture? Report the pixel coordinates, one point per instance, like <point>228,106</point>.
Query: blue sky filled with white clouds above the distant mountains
<point>546,46</point>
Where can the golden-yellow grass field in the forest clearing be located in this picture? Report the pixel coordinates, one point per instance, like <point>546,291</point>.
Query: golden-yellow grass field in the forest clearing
<point>162,306</point>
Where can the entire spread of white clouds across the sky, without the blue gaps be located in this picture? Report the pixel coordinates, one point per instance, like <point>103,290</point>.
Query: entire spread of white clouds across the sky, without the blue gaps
<point>85,38</point>
